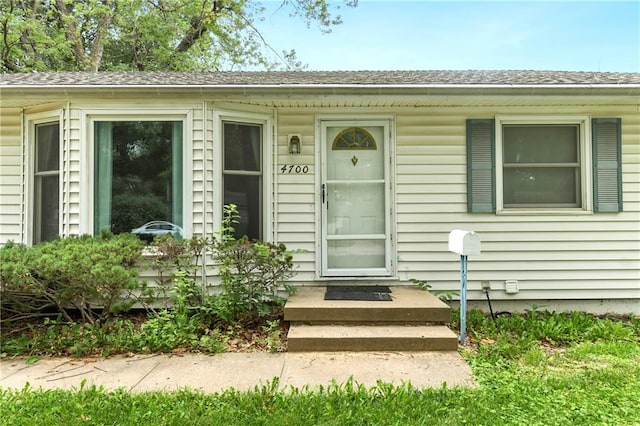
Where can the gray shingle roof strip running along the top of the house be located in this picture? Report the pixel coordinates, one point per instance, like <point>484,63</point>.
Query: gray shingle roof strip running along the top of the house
<point>321,78</point>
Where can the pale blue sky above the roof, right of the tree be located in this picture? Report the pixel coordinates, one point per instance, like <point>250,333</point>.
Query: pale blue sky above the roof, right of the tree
<point>411,35</point>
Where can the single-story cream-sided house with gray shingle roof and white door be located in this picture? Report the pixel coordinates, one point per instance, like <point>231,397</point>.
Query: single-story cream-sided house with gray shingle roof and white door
<point>366,173</point>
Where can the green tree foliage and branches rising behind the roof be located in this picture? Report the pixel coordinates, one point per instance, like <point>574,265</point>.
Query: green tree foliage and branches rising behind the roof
<point>137,35</point>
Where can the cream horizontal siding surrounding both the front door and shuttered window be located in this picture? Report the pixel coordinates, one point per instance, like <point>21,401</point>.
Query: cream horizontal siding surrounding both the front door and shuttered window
<point>569,256</point>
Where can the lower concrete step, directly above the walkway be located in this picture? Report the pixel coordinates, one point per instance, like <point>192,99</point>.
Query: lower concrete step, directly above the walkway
<point>358,338</point>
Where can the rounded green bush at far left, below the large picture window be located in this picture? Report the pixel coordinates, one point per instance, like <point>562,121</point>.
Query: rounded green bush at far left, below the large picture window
<point>95,276</point>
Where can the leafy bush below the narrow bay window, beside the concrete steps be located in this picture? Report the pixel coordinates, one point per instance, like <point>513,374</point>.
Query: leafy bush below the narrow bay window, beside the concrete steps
<point>251,273</point>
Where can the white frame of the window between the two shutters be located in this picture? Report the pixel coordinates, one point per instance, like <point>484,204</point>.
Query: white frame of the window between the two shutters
<point>583,122</point>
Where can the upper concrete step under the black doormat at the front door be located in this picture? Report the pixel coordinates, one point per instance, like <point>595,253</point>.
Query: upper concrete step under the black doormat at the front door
<point>408,305</point>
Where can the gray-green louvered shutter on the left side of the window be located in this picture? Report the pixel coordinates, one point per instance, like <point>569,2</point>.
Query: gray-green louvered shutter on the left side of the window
<point>481,180</point>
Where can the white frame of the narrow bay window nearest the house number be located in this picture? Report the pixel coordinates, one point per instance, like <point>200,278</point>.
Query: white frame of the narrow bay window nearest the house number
<point>267,157</point>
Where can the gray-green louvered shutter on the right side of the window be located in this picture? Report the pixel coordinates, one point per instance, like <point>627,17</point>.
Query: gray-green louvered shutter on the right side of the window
<point>607,165</point>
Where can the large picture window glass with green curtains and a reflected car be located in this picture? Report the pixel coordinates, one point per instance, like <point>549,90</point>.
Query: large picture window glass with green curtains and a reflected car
<point>138,177</point>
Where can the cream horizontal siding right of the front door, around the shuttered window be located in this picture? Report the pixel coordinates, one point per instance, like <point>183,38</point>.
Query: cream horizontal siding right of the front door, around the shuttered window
<point>541,251</point>
